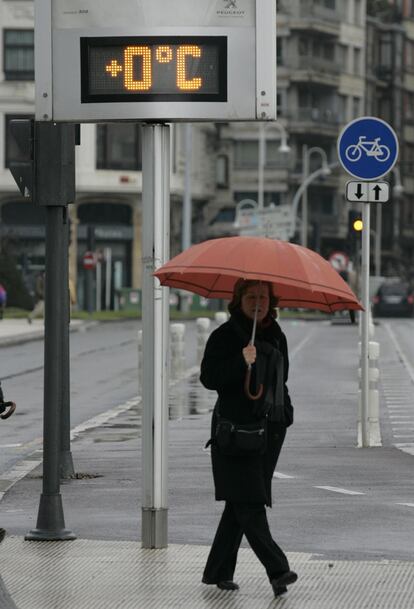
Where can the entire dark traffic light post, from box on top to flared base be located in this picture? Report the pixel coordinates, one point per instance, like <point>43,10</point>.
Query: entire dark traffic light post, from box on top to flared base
<point>54,187</point>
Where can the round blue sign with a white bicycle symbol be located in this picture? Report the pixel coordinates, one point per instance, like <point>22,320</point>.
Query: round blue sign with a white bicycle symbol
<point>368,148</point>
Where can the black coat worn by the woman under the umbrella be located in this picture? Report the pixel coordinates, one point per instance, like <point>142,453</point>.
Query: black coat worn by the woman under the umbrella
<point>223,369</point>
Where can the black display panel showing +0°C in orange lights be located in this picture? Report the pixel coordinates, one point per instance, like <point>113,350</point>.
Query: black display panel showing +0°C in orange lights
<point>123,69</point>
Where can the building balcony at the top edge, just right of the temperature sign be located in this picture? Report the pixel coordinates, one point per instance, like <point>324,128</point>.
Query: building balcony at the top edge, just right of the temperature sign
<point>307,15</point>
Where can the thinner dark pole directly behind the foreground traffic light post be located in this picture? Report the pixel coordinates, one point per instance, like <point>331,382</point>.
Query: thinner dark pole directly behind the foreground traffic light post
<point>66,462</point>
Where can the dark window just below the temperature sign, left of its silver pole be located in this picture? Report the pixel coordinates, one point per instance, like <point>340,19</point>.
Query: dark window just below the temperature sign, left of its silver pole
<point>119,147</point>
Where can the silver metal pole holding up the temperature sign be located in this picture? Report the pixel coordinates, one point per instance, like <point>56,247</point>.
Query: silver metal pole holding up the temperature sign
<point>155,324</point>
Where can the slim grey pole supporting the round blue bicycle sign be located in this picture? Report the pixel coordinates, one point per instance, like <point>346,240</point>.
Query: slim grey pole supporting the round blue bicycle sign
<point>366,212</point>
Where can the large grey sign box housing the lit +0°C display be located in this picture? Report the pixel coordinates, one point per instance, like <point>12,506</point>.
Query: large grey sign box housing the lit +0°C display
<point>184,60</point>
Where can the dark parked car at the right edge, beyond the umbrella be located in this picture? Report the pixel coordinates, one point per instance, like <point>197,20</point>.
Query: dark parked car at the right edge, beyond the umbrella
<point>394,299</point>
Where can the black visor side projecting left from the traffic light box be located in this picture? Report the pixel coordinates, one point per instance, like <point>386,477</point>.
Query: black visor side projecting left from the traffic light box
<point>22,166</point>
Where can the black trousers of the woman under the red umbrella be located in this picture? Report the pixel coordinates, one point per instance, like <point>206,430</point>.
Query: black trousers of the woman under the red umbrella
<point>237,519</point>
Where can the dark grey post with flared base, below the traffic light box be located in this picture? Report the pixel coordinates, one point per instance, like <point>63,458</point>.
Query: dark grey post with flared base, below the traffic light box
<point>50,521</point>
